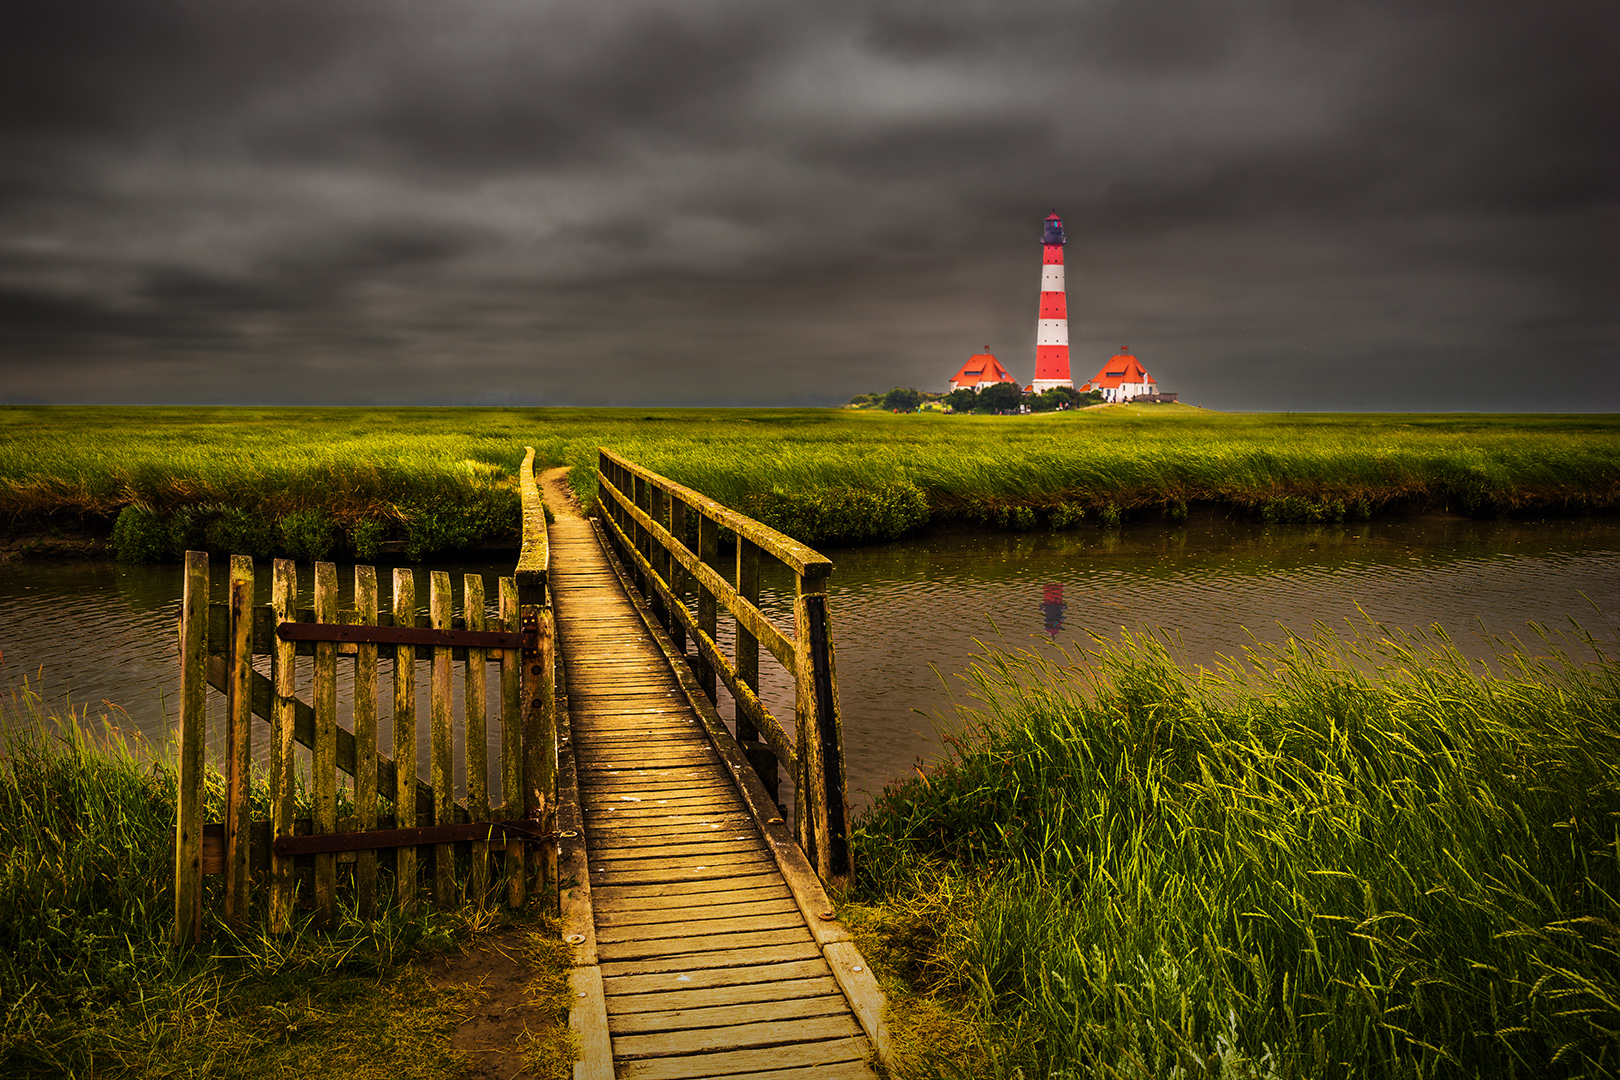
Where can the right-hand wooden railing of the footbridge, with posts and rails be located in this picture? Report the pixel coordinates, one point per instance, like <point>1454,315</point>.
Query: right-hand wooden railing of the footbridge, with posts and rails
<point>649,516</point>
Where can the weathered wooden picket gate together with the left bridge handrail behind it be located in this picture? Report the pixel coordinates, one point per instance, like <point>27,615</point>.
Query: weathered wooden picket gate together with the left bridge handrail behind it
<point>399,822</point>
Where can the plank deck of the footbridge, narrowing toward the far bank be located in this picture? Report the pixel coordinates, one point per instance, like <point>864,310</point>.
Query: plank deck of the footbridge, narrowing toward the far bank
<point>709,966</point>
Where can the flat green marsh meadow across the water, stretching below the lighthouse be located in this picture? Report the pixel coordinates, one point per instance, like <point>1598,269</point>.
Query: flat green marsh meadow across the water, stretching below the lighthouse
<point>346,482</point>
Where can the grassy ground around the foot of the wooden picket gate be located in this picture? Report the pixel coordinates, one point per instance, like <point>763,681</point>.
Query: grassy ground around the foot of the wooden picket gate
<point>90,989</point>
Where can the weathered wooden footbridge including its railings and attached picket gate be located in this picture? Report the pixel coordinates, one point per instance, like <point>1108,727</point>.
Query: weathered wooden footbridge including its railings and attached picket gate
<point>704,937</point>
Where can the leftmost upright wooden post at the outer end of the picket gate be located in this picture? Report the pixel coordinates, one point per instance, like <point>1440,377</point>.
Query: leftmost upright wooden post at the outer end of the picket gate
<point>194,734</point>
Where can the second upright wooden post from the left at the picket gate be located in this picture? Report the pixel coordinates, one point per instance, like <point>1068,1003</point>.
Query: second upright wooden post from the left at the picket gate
<point>239,739</point>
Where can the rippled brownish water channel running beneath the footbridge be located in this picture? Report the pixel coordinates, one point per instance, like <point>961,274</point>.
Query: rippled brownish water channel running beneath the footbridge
<point>908,618</point>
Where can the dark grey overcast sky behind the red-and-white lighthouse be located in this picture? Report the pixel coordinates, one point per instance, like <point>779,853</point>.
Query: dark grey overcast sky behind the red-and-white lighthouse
<point>1277,205</point>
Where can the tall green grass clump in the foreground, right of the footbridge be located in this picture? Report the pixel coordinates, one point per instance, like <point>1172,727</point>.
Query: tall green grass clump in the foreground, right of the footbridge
<point>1339,859</point>
